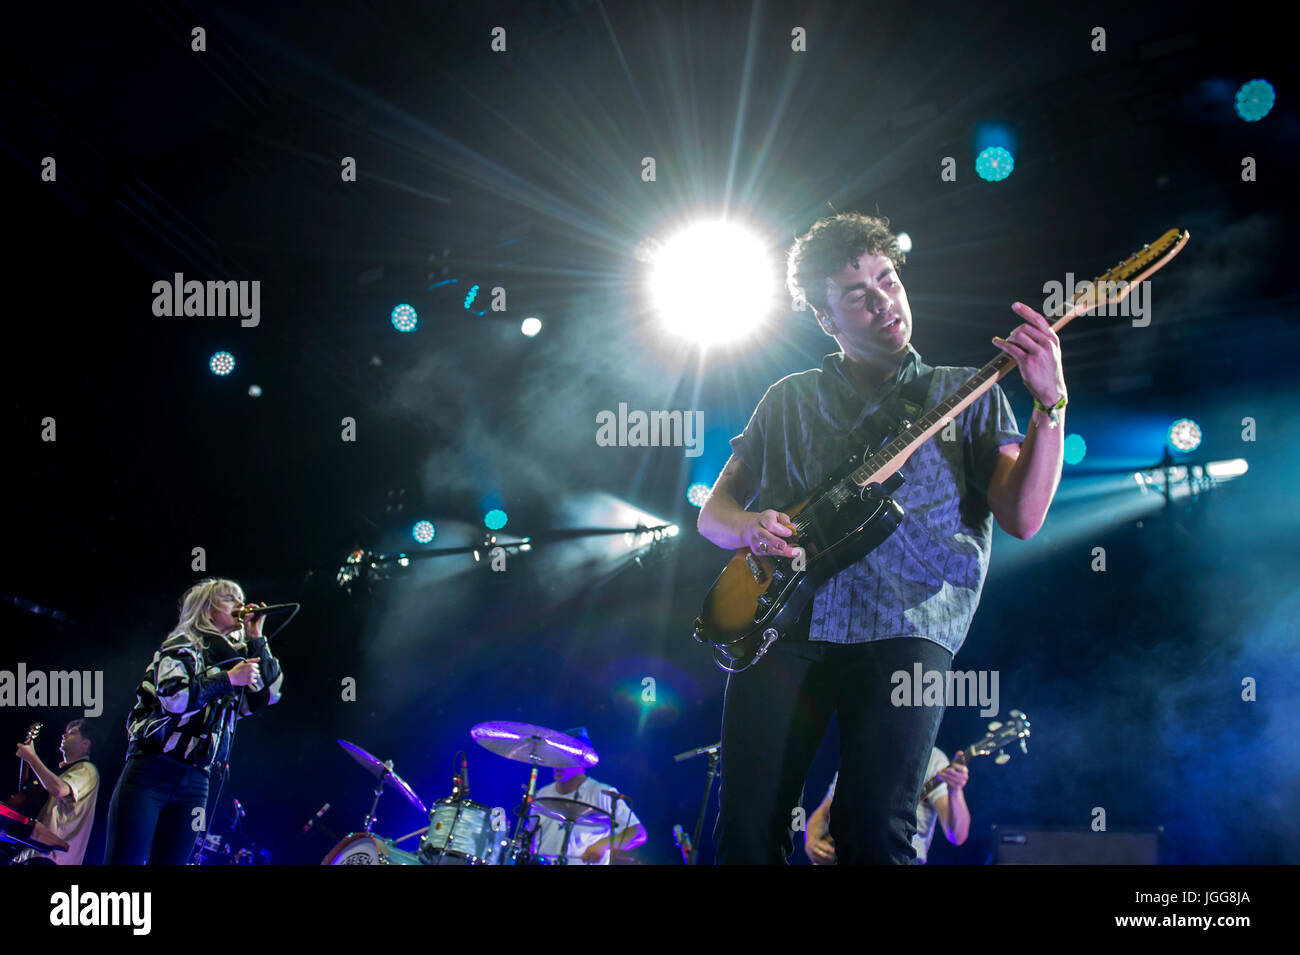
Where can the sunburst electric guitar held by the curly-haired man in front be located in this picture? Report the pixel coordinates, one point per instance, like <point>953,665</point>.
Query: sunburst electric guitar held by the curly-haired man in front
<point>757,598</point>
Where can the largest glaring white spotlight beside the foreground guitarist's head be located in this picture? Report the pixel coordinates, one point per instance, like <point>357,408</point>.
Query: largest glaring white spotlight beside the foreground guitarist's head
<point>713,283</point>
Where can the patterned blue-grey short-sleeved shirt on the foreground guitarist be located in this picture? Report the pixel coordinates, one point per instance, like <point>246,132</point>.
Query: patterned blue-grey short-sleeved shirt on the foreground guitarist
<point>926,579</point>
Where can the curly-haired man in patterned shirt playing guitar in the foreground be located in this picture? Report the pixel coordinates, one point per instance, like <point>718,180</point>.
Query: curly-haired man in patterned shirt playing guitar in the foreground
<point>908,602</point>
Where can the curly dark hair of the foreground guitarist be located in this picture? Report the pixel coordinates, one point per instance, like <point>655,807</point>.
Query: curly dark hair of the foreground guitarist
<point>833,245</point>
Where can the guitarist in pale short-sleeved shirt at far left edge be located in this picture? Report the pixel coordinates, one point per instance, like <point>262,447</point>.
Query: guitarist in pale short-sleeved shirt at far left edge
<point>70,811</point>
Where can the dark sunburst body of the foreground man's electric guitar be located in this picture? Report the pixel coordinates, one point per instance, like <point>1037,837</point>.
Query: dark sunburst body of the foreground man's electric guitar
<point>756,600</point>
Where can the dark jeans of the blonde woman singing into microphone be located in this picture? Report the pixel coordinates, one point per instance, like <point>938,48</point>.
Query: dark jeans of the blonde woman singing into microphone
<point>151,818</point>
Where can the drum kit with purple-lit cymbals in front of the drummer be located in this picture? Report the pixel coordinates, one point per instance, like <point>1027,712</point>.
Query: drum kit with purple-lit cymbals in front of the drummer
<point>467,834</point>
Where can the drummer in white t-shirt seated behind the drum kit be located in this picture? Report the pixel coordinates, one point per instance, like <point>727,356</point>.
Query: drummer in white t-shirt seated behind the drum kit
<point>590,841</point>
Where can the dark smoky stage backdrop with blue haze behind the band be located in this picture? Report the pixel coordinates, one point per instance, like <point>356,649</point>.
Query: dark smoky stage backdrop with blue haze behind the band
<point>522,170</point>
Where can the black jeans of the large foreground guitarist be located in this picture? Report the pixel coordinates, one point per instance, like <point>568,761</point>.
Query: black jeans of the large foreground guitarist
<point>774,718</point>
